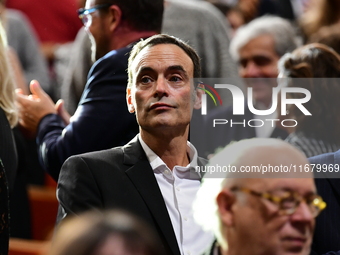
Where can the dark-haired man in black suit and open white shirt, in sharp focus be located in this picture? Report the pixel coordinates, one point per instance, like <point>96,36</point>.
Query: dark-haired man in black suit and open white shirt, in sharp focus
<point>153,176</point>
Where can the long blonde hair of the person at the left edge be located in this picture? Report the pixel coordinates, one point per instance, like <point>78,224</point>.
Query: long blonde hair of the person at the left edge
<point>7,86</point>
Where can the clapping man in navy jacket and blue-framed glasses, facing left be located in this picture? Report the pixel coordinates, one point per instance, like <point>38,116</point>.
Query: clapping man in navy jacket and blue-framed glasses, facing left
<point>101,120</point>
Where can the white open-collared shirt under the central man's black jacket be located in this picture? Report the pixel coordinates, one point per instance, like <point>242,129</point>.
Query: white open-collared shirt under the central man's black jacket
<point>179,187</point>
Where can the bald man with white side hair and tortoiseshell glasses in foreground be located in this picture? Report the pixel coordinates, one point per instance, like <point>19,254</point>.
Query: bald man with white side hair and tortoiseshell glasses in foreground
<point>262,212</point>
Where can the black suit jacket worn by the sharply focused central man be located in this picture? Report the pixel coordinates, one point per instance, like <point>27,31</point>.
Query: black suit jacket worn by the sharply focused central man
<point>116,178</point>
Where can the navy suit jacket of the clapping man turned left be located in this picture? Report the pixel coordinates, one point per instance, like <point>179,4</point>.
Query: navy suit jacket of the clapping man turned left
<point>102,120</point>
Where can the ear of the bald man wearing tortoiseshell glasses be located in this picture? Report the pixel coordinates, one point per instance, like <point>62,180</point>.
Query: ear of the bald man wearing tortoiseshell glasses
<point>225,201</point>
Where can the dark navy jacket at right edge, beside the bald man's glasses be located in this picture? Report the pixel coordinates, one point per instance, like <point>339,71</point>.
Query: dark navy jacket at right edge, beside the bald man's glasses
<point>327,229</point>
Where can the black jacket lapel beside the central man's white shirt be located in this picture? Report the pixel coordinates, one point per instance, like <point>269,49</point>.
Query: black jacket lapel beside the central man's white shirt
<point>143,178</point>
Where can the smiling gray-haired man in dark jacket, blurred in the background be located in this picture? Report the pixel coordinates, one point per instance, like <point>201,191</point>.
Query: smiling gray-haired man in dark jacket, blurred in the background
<point>256,47</point>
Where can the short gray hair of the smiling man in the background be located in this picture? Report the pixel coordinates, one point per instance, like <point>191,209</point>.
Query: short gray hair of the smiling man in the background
<point>283,32</point>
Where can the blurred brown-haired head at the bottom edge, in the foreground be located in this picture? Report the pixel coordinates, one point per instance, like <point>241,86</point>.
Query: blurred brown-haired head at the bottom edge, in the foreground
<point>104,233</point>
